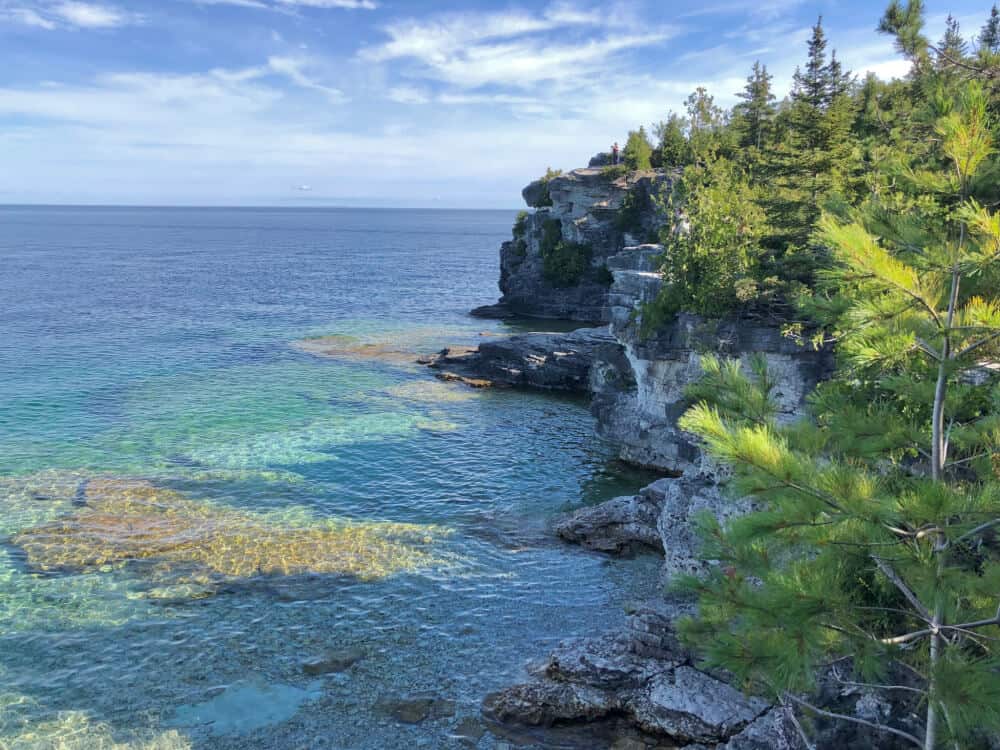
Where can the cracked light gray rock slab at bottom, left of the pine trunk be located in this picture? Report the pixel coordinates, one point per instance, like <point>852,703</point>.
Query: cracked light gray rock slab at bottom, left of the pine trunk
<point>689,705</point>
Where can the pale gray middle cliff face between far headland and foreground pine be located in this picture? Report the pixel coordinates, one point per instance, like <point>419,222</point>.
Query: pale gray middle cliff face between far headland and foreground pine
<point>638,389</point>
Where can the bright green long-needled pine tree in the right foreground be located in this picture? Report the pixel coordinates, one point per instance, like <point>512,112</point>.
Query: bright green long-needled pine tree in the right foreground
<point>876,539</point>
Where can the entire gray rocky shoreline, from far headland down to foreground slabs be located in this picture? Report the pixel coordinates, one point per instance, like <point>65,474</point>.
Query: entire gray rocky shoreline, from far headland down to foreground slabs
<point>641,680</point>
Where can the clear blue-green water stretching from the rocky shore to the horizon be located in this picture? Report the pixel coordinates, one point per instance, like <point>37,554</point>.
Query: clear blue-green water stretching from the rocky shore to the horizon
<point>155,348</point>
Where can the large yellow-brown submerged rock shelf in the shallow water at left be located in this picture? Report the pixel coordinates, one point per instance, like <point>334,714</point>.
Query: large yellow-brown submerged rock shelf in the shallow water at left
<point>123,520</point>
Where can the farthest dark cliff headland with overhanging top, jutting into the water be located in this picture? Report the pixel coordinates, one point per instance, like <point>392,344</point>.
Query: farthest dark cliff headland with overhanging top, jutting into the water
<point>593,215</point>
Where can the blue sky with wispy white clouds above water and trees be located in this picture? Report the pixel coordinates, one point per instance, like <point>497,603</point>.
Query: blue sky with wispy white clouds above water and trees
<point>374,102</point>
